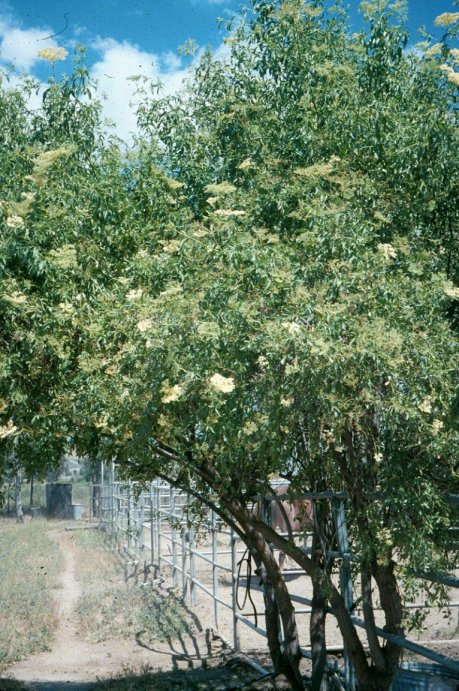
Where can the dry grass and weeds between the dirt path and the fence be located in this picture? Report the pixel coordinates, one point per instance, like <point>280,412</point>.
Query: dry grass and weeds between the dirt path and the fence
<point>110,607</point>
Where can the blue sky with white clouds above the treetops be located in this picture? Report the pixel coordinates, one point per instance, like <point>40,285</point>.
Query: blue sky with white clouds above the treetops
<point>127,37</point>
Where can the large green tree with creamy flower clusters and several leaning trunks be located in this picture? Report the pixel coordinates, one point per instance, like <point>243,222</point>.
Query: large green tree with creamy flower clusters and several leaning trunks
<point>266,286</point>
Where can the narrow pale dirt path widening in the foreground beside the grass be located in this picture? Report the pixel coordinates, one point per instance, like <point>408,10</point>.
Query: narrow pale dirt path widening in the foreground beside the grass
<point>75,663</point>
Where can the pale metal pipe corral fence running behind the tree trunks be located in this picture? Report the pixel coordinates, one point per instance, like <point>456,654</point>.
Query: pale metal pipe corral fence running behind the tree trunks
<point>151,524</point>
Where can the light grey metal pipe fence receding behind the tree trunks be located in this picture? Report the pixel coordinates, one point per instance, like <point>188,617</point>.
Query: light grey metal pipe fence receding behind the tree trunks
<point>153,526</point>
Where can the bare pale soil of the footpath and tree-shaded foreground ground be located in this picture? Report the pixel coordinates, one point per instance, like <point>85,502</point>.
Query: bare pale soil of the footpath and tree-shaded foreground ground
<point>76,664</point>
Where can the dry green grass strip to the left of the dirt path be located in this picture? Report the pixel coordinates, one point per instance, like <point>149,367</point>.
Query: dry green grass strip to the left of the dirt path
<point>29,566</point>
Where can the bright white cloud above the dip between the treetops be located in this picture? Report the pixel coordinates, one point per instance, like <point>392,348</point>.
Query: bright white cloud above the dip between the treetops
<point>114,71</point>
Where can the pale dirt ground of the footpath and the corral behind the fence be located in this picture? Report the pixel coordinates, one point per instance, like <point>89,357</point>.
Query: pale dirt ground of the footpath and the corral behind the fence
<point>76,664</point>
